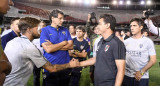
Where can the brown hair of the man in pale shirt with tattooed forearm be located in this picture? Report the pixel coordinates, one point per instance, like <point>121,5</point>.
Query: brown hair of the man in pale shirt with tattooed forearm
<point>27,22</point>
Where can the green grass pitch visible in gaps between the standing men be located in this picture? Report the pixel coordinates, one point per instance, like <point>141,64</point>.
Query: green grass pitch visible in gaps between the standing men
<point>85,78</point>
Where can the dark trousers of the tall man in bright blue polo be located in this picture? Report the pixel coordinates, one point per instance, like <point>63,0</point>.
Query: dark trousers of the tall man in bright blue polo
<point>60,78</point>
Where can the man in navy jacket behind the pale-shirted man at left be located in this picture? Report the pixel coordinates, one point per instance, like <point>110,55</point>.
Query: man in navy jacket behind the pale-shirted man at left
<point>11,35</point>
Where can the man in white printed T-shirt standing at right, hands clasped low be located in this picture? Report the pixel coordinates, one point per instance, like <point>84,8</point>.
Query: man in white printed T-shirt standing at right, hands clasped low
<point>140,56</point>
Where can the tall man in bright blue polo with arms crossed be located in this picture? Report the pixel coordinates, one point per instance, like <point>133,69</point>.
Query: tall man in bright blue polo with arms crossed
<point>56,41</point>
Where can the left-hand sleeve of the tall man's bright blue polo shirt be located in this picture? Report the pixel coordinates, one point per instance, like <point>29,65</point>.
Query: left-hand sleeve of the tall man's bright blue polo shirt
<point>44,36</point>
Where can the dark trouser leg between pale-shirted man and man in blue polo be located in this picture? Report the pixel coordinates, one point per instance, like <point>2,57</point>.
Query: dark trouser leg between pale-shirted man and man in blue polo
<point>36,75</point>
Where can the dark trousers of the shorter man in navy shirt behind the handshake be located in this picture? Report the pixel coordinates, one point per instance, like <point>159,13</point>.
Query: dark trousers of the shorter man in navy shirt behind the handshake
<point>75,76</point>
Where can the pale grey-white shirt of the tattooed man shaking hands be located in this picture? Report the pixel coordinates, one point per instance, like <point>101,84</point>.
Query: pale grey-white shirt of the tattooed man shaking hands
<point>23,55</point>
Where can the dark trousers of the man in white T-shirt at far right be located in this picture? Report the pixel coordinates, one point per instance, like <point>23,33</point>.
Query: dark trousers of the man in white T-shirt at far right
<point>131,81</point>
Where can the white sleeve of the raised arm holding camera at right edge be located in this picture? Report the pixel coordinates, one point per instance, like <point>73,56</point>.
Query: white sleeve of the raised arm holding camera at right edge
<point>151,27</point>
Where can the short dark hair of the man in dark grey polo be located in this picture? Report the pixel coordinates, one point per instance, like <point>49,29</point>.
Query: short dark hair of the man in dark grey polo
<point>109,19</point>
